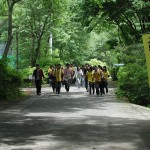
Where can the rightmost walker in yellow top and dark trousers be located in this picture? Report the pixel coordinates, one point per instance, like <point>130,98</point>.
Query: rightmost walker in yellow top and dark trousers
<point>105,75</point>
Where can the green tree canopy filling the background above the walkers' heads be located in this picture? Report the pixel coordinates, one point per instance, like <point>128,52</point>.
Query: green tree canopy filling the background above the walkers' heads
<point>81,30</point>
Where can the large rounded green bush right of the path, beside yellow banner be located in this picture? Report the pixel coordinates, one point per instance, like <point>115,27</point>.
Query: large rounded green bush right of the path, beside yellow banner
<point>133,79</point>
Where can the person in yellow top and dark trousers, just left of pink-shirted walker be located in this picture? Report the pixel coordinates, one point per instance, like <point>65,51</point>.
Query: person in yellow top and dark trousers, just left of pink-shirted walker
<point>58,78</point>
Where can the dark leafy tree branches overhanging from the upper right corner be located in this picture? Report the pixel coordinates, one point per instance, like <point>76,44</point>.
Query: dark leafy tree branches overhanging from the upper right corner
<point>130,16</point>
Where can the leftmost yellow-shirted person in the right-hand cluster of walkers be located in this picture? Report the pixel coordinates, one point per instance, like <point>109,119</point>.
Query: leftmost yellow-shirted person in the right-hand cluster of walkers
<point>90,79</point>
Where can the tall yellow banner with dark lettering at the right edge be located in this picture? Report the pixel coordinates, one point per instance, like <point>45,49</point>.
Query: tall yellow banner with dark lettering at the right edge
<point>146,42</point>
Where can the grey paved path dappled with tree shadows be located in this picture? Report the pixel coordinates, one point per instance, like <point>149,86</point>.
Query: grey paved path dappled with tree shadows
<point>74,121</point>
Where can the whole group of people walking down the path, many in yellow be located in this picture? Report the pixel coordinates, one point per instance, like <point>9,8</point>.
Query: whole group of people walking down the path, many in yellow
<point>93,78</point>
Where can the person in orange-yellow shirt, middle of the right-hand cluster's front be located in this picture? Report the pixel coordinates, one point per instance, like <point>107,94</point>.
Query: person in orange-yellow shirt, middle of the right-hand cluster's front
<point>97,75</point>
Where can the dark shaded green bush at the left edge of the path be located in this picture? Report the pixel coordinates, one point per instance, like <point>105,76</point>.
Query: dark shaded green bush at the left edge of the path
<point>10,82</point>
